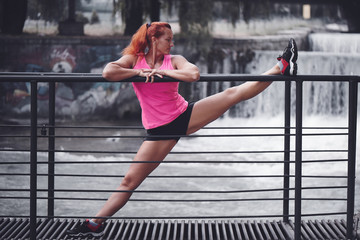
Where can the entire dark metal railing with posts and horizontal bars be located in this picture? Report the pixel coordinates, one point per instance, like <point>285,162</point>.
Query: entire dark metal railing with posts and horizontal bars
<point>51,129</point>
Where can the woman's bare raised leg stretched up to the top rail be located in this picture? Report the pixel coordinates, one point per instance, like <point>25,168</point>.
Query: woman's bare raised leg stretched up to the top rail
<point>210,108</point>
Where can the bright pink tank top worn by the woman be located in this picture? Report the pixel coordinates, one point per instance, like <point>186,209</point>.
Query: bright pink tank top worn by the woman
<point>160,102</point>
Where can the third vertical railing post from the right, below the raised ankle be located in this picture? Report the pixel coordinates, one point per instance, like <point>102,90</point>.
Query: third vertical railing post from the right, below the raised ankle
<point>287,113</point>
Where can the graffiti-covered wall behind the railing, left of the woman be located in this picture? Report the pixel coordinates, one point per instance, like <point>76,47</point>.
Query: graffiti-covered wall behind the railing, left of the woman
<point>72,99</point>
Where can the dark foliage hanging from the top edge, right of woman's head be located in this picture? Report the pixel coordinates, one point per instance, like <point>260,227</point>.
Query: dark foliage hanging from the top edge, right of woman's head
<point>195,17</point>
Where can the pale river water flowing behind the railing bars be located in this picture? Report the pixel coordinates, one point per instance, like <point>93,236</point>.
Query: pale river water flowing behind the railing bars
<point>169,168</point>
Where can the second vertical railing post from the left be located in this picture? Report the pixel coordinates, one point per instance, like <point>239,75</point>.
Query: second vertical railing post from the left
<point>51,148</point>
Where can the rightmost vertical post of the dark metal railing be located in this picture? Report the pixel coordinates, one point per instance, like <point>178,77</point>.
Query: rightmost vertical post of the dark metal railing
<point>353,98</point>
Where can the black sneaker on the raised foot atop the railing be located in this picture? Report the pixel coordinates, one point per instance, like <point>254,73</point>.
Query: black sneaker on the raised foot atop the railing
<point>288,59</point>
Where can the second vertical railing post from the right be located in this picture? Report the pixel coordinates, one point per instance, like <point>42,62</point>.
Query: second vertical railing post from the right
<point>298,158</point>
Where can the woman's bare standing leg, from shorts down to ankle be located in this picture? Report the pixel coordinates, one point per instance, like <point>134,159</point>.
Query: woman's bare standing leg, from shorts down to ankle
<point>149,151</point>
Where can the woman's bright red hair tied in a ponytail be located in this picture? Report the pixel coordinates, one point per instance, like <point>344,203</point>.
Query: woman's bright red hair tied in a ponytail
<point>142,38</point>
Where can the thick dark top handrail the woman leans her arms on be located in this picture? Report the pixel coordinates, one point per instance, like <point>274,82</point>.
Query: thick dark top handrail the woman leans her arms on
<point>95,77</point>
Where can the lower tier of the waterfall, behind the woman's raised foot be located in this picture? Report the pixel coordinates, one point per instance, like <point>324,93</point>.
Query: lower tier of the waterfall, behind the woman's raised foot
<point>319,97</point>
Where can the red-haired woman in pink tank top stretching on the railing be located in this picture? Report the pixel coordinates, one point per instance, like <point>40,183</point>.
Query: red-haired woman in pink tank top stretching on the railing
<point>164,110</point>
